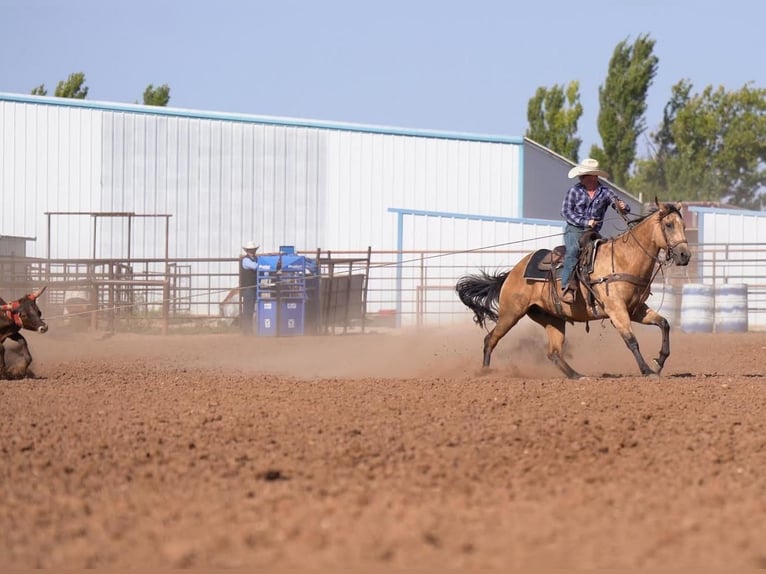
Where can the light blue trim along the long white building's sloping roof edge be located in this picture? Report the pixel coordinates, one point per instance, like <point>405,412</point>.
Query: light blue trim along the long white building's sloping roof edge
<point>254,119</point>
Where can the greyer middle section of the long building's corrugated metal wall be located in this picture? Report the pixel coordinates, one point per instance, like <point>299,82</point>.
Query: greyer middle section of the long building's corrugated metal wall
<point>224,183</point>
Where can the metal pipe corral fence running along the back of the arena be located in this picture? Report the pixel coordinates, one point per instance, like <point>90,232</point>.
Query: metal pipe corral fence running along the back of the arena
<point>361,289</point>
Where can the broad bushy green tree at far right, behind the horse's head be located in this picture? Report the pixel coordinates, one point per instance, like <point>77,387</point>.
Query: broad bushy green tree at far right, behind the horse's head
<point>710,147</point>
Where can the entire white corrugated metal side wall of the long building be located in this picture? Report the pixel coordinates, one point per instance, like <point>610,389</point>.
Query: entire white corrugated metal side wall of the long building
<point>227,181</point>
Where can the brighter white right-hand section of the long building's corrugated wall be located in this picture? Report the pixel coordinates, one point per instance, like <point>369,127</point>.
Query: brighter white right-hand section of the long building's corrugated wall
<point>370,173</point>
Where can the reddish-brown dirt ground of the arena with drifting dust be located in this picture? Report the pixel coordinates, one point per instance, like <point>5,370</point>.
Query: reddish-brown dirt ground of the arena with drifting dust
<point>384,449</point>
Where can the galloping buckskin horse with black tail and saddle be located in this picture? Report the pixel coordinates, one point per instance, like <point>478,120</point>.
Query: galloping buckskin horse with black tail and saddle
<point>614,278</point>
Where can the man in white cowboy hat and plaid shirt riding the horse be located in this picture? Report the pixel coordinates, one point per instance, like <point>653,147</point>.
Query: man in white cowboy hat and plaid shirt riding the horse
<point>584,207</point>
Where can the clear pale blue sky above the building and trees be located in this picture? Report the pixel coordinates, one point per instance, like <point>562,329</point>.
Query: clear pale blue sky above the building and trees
<point>430,64</point>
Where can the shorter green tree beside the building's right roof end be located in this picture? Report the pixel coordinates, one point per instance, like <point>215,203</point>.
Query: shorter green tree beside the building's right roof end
<point>553,115</point>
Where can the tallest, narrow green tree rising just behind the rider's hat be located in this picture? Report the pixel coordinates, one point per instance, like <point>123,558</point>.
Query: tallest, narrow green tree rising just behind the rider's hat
<point>622,101</point>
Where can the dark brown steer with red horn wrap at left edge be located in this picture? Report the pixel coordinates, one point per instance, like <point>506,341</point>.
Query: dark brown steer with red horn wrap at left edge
<point>15,316</point>
